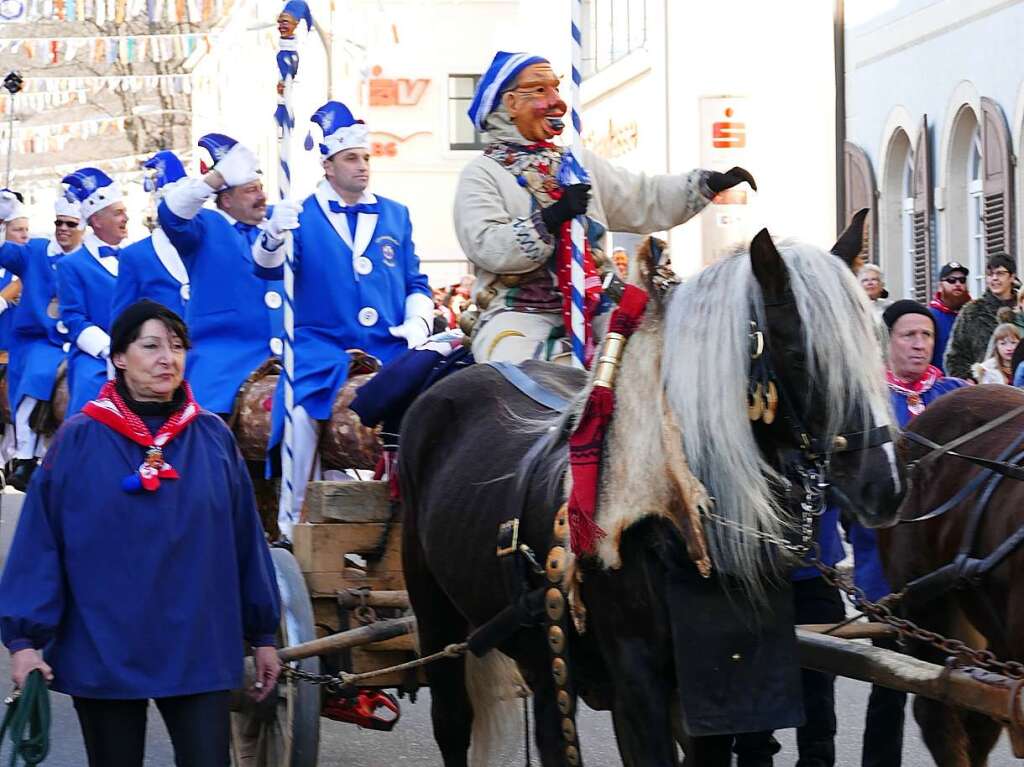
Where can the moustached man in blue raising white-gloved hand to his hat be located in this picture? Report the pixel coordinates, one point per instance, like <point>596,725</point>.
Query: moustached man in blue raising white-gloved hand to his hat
<point>234,317</point>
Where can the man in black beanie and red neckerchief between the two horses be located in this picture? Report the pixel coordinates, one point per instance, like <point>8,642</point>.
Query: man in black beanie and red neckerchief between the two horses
<point>914,385</point>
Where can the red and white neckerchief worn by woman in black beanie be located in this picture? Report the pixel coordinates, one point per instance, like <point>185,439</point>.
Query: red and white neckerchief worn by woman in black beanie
<point>110,409</point>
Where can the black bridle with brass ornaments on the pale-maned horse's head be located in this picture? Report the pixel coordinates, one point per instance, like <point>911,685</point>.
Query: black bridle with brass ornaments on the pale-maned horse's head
<point>813,461</point>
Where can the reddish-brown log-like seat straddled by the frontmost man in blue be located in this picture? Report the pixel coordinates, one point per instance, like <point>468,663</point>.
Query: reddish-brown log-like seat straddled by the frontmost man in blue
<point>346,443</point>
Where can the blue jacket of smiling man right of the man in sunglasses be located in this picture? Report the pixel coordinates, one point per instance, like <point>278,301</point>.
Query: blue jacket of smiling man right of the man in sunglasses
<point>86,288</point>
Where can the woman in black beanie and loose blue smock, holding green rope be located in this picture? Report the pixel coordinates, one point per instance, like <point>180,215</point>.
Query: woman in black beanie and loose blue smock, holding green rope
<point>140,566</point>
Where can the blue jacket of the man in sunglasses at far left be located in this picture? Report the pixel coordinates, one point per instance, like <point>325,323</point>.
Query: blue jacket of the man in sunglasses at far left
<point>37,344</point>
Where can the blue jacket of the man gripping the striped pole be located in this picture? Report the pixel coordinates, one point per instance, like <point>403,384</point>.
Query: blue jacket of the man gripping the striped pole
<point>344,303</point>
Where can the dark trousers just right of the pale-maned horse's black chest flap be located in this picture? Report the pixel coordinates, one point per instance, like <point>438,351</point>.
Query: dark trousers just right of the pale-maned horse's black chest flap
<point>815,603</point>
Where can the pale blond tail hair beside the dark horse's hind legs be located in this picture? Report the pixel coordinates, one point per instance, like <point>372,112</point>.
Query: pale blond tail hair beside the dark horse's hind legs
<point>495,688</point>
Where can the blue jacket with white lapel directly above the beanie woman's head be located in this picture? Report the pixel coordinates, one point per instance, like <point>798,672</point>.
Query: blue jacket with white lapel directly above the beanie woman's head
<point>151,269</point>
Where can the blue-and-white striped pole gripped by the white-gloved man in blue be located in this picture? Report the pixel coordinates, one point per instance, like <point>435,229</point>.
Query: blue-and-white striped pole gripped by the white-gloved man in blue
<point>288,65</point>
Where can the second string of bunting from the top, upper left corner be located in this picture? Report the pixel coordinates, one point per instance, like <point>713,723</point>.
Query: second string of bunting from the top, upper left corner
<point>123,49</point>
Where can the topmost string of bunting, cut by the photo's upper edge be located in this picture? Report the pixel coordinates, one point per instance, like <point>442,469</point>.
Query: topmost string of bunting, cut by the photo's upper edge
<point>116,12</point>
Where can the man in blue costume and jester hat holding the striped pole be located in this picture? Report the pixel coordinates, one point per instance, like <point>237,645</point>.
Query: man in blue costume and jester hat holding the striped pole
<point>358,283</point>
